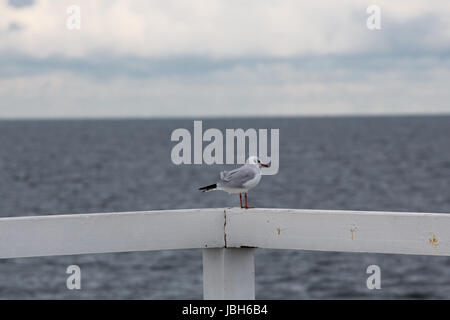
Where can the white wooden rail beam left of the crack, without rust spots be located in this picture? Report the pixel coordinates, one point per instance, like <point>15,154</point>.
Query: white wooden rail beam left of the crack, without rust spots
<point>111,232</point>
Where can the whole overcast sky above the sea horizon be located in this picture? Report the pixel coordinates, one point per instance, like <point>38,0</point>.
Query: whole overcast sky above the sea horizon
<point>223,58</point>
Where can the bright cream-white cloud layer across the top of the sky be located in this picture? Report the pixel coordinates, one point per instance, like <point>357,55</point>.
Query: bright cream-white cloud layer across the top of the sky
<point>227,29</point>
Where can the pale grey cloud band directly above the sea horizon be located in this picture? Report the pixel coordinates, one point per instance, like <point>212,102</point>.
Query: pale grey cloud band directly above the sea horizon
<point>265,89</point>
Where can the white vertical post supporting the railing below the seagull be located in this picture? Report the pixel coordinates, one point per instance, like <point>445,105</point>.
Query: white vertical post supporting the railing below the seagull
<point>228,273</point>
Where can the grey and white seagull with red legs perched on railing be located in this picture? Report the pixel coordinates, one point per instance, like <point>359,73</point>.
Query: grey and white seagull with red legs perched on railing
<point>240,180</point>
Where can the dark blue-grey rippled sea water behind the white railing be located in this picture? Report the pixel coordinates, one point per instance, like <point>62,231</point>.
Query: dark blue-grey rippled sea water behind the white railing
<point>355,163</point>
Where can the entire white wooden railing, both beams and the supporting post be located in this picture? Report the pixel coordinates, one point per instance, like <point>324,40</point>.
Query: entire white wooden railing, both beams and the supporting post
<point>227,236</point>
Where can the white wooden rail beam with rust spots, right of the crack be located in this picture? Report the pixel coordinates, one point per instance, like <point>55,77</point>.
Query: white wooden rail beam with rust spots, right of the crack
<point>348,231</point>
